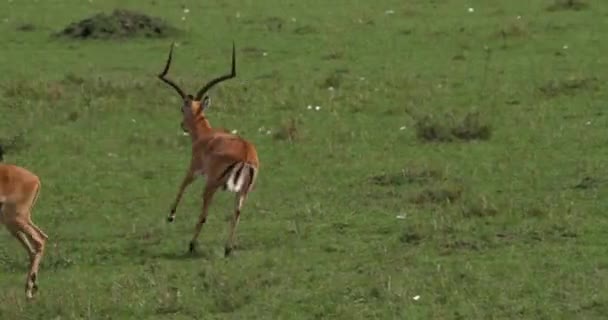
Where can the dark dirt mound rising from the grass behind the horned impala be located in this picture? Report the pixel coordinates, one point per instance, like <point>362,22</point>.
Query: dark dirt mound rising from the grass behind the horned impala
<point>119,24</point>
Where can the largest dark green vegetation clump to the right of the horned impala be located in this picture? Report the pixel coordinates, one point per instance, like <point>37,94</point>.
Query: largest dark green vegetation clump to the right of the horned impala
<point>471,127</point>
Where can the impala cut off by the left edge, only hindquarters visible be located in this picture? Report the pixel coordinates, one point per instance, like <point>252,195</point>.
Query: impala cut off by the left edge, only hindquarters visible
<point>19,189</point>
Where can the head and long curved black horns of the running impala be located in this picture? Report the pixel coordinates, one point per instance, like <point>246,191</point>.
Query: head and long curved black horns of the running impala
<point>193,107</point>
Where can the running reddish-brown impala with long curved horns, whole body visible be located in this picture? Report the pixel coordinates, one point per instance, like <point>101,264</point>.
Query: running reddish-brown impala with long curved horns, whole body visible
<point>226,160</point>
